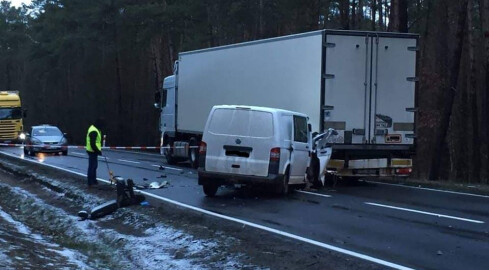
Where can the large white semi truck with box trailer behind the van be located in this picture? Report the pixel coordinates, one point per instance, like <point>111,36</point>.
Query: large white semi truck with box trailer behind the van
<point>362,84</point>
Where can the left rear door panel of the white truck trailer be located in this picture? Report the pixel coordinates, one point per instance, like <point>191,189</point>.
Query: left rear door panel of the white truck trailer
<point>346,86</point>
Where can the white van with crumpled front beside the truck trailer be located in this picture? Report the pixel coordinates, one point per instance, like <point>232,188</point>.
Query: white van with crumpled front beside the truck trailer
<point>254,146</point>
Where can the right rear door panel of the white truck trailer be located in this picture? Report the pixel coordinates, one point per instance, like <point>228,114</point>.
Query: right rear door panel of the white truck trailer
<point>393,81</point>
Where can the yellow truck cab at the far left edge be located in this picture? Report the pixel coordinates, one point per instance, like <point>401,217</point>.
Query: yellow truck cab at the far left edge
<point>11,126</point>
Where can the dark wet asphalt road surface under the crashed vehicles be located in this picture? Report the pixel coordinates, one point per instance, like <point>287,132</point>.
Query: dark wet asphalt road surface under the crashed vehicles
<point>409,227</point>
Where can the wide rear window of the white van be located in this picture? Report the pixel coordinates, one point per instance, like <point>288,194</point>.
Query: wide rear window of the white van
<point>241,122</point>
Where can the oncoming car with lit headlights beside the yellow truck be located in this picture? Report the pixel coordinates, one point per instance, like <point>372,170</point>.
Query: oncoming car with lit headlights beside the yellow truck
<point>46,139</point>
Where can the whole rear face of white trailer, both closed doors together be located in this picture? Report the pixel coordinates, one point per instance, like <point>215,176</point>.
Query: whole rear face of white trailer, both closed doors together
<point>369,79</point>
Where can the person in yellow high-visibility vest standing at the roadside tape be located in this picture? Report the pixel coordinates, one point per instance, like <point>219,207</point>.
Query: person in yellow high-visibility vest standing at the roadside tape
<point>94,149</point>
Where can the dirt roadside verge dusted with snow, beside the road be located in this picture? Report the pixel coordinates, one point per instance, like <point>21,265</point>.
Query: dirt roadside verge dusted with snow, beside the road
<point>192,239</point>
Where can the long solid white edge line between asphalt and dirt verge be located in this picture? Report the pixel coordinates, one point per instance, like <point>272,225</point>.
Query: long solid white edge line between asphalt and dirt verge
<point>254,225</point>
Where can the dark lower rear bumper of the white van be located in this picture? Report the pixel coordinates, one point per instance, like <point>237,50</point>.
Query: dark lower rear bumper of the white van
<point>214,178</point>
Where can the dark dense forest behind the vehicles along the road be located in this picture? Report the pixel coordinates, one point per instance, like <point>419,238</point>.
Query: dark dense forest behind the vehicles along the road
<point>74,60</point>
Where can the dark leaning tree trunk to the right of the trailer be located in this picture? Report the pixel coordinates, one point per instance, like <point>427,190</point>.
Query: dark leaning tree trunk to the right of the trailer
<point>448,105</point>
